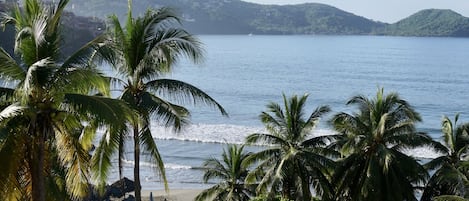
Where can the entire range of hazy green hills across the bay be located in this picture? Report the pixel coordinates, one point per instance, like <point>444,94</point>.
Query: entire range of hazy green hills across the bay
<point>239,17</point>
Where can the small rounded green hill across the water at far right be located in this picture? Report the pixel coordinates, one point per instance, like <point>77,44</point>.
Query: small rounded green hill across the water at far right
<point>431,22</point>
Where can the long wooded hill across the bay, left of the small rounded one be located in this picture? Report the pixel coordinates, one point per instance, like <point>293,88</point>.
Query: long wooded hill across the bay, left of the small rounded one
<point>239,17</point>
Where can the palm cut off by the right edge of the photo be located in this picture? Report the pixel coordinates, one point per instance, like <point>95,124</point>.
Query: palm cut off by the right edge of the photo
<point>452,168</point>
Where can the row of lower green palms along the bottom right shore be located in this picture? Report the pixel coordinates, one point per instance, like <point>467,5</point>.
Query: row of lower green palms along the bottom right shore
<point>364,160</point>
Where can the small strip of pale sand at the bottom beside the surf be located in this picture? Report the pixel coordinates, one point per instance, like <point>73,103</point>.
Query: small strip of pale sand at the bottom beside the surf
<point>174,194</point>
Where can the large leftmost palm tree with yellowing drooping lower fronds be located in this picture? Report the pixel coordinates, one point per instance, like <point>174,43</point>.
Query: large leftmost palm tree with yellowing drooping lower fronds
<point>47,117</point>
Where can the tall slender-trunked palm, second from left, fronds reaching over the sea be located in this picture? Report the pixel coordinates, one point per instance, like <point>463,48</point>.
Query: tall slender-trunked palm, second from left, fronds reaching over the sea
<point>144,50</point>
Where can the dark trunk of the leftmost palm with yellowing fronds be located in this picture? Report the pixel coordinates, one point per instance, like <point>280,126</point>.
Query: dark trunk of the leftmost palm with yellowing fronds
<point>37,169</point>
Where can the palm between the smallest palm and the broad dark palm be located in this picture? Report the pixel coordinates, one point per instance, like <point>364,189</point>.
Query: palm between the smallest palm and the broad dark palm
<point>293,161</point>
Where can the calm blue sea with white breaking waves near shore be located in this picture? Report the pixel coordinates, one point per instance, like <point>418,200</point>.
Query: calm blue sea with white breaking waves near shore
<point>244,73</point>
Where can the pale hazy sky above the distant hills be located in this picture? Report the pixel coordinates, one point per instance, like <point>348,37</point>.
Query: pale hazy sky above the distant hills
<point>383,10</point>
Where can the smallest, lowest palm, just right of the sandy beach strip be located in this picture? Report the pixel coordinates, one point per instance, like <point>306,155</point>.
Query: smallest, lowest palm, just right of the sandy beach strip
<point>231,172</point>
